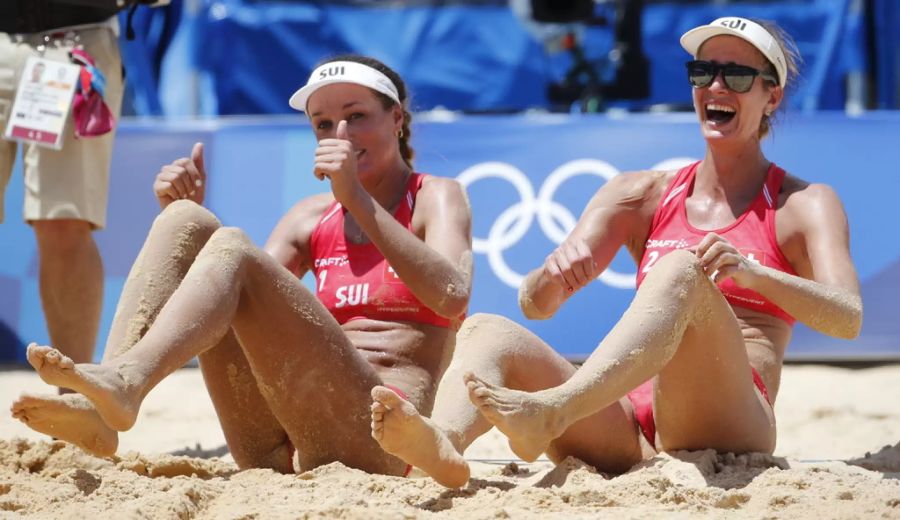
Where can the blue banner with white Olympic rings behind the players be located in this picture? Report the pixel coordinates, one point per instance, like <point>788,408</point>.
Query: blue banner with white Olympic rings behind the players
<point>528,178</point>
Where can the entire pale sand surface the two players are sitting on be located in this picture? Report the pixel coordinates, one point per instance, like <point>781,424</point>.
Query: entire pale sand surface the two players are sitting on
<point>838,456</point>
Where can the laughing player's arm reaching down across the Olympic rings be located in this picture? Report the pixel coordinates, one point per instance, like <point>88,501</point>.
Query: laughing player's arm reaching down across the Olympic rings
<point>619,213</point>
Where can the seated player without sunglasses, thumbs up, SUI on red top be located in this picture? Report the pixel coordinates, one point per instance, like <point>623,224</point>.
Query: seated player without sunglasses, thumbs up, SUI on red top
<point>288,369</point>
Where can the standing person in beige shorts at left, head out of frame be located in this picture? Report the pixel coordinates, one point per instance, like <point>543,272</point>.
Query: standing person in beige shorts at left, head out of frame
<point>65,190</point>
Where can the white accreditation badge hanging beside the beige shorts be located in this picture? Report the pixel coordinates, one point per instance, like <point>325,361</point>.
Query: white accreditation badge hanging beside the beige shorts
<point>42,103</point>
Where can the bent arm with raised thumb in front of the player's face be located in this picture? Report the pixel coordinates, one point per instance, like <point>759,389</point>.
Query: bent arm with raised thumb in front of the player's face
<point>438,267</point>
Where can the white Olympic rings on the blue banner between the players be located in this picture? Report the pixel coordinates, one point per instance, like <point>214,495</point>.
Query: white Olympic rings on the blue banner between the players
<point>555,220</point>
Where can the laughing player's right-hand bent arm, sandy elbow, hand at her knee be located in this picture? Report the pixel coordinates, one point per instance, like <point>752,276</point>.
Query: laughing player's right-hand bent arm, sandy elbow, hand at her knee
<point>825,296</point>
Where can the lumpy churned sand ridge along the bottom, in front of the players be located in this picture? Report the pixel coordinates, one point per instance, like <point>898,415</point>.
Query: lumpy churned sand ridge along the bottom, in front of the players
<point>54,479</point>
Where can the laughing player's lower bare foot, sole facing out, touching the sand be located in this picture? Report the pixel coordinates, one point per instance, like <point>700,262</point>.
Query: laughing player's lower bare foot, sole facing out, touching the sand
<point>402,432</point>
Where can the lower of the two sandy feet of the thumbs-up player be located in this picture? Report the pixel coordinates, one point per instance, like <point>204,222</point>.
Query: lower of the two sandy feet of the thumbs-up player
<point>70,417</point>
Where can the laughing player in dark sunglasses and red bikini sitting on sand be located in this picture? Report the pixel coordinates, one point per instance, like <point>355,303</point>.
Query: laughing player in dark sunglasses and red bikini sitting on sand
<point>731,251</point>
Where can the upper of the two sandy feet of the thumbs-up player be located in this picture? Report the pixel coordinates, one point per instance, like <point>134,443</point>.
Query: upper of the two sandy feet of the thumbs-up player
<point>115,401</point>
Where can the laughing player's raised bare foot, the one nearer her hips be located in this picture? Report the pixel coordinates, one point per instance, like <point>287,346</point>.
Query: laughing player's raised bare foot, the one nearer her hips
<point>530,423</point>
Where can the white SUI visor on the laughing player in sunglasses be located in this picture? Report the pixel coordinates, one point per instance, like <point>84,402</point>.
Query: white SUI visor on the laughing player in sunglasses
<point>745,29</point>
